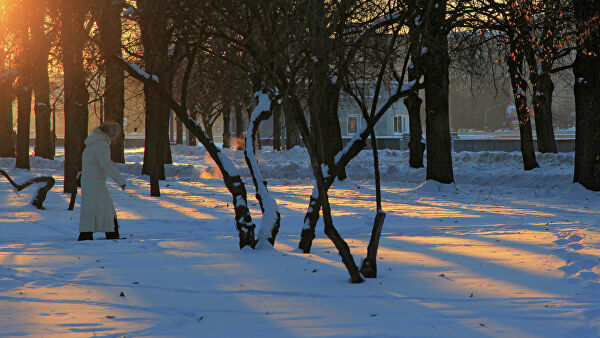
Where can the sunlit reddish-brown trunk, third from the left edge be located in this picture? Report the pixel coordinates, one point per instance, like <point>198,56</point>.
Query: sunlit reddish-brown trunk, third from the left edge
<point>44,142</point>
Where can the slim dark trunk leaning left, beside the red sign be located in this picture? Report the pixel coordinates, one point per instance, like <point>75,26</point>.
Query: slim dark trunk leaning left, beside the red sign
<point>519,88</point>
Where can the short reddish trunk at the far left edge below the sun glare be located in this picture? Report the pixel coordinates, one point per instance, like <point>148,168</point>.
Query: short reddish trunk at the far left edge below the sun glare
<point>7,137</point>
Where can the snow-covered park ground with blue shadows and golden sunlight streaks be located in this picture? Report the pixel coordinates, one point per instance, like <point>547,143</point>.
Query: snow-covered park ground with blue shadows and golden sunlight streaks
<point>504,253</point>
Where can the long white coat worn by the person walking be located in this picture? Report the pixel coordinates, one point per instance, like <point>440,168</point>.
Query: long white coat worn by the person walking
<point>97,209</point>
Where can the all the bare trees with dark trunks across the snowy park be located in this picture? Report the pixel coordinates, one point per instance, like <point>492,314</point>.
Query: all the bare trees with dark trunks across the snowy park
<point>292,60</point>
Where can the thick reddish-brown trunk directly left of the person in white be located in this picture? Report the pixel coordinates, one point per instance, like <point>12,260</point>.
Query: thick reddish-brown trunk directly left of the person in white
<point>76,95</point>
